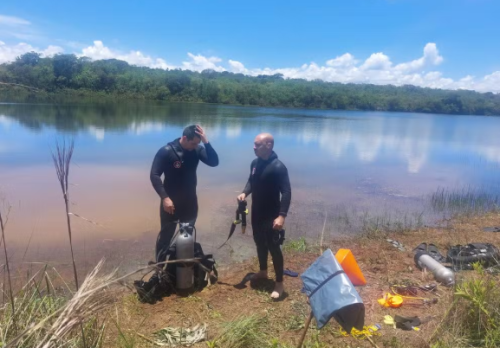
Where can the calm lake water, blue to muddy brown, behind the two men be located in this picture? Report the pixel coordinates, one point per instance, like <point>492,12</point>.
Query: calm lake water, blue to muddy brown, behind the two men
<point>342,163</point>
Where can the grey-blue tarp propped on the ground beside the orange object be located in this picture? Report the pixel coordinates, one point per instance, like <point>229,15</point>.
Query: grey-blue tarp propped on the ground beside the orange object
<point>331,294</point>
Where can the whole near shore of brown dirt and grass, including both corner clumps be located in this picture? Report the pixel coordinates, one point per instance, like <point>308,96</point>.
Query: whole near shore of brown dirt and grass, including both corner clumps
<point>106,313</point>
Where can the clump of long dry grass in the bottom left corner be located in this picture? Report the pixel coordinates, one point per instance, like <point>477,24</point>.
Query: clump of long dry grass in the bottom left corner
<point>46,319</point>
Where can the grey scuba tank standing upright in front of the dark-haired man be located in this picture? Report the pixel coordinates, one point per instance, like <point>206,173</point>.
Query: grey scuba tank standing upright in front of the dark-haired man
<point>185,250</point>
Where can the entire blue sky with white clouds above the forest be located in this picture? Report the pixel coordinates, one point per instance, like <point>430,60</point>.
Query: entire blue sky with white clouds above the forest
<point>451,44</point>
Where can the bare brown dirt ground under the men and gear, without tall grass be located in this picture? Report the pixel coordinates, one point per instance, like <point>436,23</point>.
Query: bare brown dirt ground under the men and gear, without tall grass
<point>381,263</point>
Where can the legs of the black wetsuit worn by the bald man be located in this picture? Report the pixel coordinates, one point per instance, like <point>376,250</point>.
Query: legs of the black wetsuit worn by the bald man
<point>263,234</point>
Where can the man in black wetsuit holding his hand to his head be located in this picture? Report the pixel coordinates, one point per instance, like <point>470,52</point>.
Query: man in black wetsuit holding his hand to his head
<point>178,161</point>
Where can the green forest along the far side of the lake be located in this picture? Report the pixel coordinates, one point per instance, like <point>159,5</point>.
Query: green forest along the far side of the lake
<point>69,76</point>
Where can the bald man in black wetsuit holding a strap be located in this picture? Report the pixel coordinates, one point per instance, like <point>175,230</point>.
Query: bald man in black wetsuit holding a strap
<point>268,179</point>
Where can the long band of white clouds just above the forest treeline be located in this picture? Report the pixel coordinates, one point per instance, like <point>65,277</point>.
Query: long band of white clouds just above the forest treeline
<point>376,69</point>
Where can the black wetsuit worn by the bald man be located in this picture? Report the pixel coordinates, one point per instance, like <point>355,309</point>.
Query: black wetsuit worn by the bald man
<point>268,179</point>
